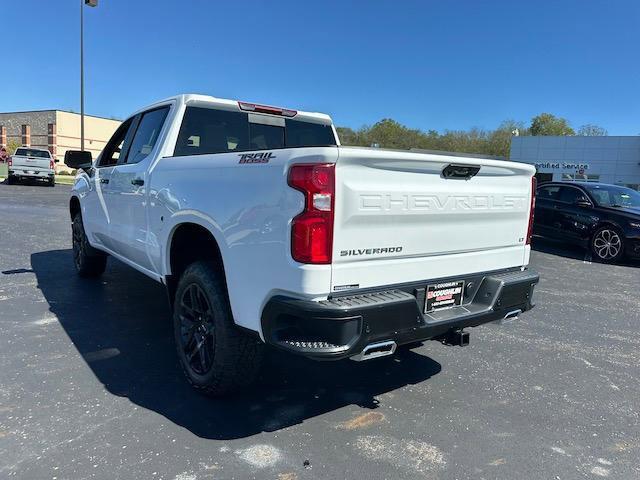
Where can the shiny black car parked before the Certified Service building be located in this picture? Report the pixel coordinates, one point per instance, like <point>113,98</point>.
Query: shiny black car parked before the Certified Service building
<point>604,218</point>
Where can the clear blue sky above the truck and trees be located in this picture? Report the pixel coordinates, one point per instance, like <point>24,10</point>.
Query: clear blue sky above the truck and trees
<point>428,64</point>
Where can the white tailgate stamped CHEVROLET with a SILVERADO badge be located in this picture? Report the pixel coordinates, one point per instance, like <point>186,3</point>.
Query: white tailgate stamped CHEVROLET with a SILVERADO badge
<point>398,219</point>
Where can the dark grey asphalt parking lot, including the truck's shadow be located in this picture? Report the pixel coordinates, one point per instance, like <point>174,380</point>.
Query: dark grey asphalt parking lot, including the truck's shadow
<point>90,386</point>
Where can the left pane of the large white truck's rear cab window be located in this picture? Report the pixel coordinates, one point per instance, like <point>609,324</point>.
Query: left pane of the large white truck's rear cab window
<point>206,130</point>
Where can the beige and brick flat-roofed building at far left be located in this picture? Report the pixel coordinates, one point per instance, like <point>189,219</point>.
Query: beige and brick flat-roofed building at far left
<point>55,130</point>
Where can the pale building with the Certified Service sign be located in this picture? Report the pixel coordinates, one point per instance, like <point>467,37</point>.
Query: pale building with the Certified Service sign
<point>614,160</point>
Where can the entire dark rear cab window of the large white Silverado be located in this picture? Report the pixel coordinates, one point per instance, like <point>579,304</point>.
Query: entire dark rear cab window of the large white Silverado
<point>206,131</point>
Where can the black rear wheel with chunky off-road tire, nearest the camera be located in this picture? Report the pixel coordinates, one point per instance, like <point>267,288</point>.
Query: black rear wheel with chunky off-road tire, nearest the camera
<point>235,356</point>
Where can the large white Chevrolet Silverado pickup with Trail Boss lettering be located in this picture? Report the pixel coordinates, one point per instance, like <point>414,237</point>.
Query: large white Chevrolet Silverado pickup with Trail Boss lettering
<point>265,231</point>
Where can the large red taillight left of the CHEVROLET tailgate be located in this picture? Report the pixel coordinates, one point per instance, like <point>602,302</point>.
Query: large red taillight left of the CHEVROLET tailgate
<point>312,230</point>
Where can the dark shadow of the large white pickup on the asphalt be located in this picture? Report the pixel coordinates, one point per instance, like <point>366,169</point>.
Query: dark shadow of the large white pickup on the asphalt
<point>121,325</point>
